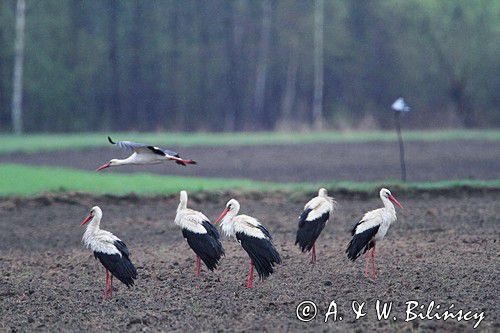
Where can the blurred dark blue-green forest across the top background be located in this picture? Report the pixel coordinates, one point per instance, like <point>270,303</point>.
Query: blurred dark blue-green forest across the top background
<point>250,64</point>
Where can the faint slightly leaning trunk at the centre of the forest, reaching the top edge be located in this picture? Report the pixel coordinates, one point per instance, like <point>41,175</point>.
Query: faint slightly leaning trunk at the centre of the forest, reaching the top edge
<point>260,82</point>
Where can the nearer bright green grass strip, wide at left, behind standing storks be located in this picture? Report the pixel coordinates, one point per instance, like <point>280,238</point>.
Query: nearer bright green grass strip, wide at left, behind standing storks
<point>24,180</point>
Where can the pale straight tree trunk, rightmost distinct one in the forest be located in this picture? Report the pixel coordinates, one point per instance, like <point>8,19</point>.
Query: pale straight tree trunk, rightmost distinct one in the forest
<point>318,65</point>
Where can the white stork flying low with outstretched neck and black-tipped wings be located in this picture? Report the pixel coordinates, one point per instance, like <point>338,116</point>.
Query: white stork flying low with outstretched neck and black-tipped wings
<point>144,154</point>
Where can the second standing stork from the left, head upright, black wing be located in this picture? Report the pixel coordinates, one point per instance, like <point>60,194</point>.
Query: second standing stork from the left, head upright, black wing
<point>201,235</point>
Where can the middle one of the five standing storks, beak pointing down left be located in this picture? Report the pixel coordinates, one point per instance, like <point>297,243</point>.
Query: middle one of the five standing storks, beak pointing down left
<point>253,237</point>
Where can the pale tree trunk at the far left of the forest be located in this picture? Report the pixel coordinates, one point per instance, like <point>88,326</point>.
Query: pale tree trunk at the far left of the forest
<point>17,91</point>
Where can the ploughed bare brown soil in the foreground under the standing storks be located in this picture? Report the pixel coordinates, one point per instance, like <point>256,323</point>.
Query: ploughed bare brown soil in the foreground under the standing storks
<point>443,248</point>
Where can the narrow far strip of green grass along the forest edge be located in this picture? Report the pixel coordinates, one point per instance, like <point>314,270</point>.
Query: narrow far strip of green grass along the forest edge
<point>45,142</point>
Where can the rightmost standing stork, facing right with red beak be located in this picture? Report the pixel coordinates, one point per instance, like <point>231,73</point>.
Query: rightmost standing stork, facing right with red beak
<point>371,229</point>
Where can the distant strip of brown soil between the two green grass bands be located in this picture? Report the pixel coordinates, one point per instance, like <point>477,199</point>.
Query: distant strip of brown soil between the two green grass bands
<point>307,162</point>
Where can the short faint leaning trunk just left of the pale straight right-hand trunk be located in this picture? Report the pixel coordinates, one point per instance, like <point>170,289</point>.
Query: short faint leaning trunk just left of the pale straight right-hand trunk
<point>291,85</point>
